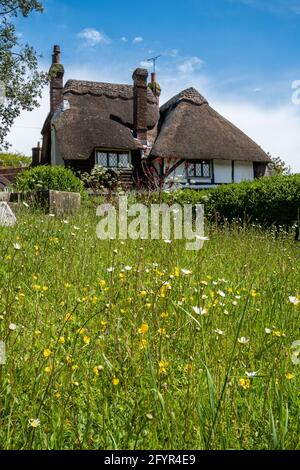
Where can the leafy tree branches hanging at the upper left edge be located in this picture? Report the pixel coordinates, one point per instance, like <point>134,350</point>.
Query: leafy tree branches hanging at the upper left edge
<point>20,77</point>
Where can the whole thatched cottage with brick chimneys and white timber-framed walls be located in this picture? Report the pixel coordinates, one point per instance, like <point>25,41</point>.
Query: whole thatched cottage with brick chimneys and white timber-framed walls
<point>122,126</point>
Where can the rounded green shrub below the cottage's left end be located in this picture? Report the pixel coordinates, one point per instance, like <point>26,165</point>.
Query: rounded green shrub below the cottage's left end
<point>56,178</point>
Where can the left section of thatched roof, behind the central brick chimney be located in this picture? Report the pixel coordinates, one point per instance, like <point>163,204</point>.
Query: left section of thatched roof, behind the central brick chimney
<point>99,115</point>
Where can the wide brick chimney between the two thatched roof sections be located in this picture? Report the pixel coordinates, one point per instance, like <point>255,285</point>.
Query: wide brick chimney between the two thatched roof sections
<point>140,89</point>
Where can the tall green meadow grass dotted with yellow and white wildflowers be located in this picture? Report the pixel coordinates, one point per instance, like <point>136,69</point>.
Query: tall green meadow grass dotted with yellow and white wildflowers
<point>107,347</point>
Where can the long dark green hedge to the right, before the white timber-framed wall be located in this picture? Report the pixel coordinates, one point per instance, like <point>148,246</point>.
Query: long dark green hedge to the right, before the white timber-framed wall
<point>267,201</point>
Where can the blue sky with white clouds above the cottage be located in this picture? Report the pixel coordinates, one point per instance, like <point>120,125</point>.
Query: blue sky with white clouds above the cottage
<point>243,55</point>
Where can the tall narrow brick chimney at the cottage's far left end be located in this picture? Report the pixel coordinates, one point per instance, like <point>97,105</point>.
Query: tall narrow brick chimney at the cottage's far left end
<point>56,73</point>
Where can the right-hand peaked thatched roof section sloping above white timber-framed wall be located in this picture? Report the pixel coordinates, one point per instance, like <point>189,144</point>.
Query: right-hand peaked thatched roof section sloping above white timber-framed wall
<point>190,129</point>
